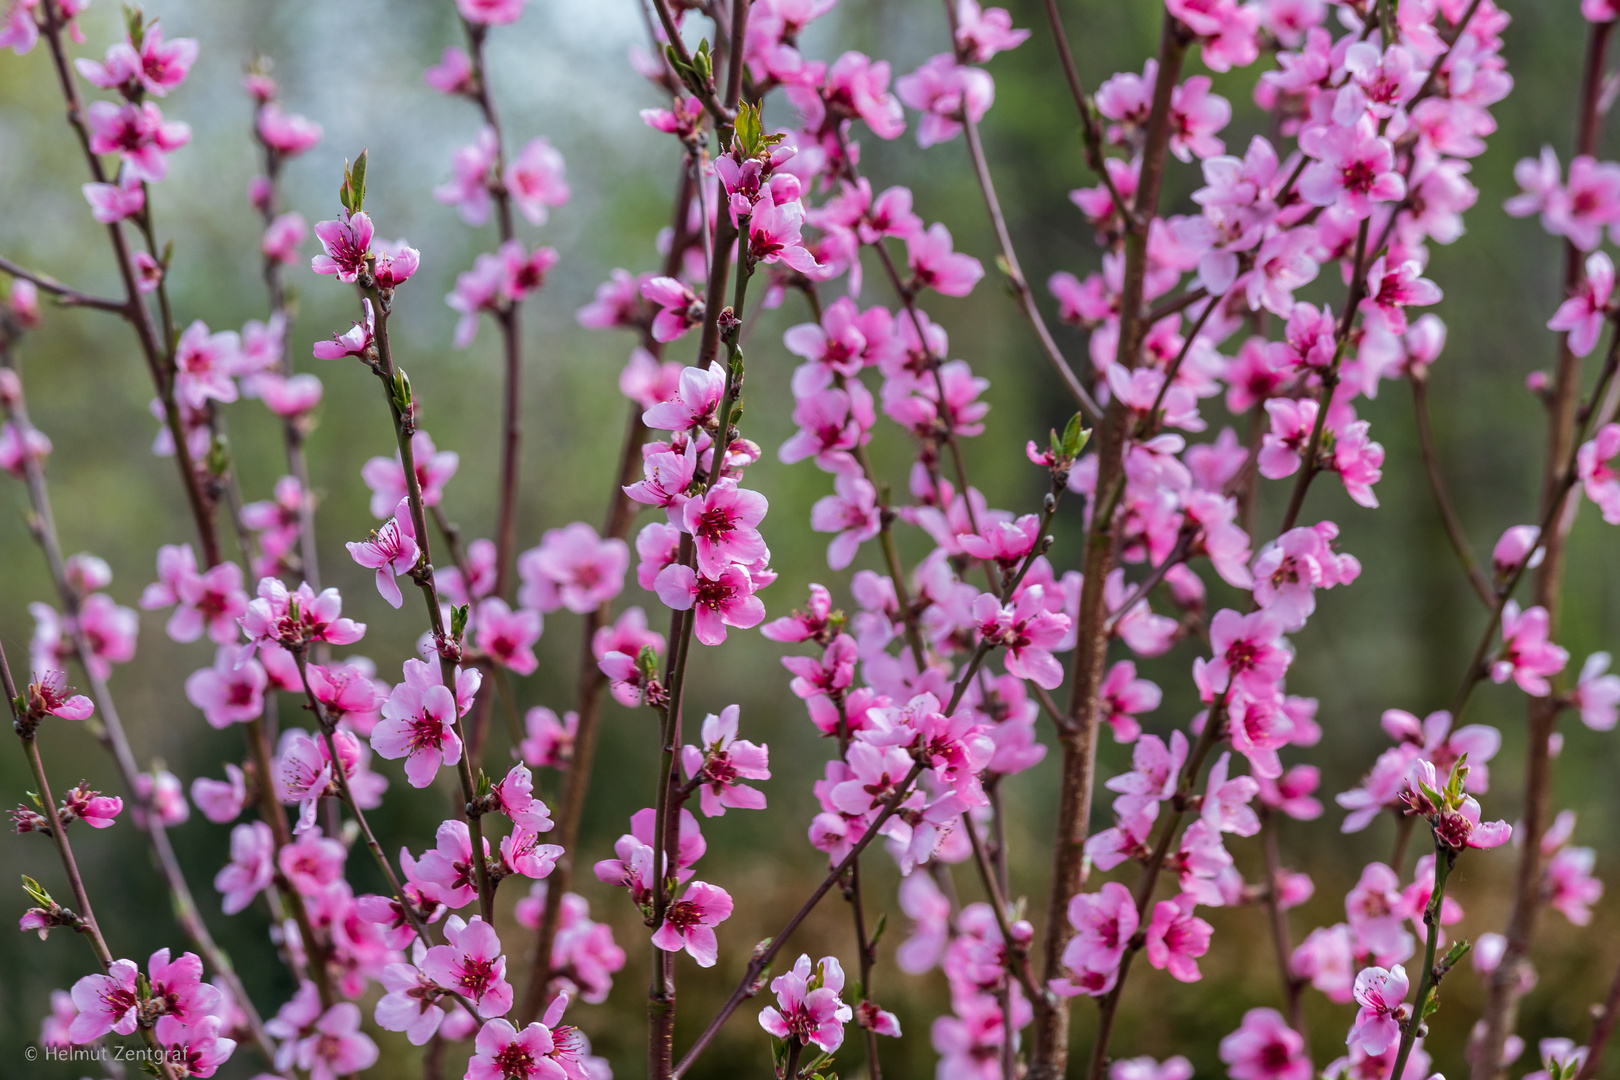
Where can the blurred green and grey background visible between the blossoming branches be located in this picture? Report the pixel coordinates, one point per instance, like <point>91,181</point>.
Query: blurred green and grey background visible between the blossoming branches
<point>1399,639</point>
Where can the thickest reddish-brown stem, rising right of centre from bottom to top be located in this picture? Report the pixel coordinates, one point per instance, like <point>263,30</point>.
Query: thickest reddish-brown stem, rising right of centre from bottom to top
<point>1051,1040</point>
